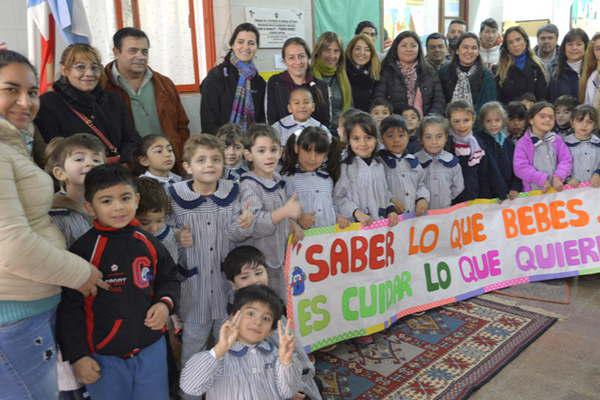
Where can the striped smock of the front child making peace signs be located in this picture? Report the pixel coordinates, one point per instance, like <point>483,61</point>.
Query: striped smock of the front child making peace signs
<point>244,373</point>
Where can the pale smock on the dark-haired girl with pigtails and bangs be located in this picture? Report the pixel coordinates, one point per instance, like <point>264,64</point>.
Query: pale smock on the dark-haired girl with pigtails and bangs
<point>315,193</point>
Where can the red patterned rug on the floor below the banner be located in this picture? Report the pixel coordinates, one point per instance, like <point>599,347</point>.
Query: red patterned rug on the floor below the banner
<point>445,354</point>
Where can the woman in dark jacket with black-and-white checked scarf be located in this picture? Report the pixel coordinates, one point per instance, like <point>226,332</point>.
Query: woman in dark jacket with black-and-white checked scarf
<point>465,78</point>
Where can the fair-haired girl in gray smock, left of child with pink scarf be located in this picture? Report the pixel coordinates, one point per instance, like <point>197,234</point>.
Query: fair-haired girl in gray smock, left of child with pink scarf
<point>443,175</point>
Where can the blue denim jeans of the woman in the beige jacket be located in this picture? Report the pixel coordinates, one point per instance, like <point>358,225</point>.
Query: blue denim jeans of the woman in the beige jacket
<point>28,359</point>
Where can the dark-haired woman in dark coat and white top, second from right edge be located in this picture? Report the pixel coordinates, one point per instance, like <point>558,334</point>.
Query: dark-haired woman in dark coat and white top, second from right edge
<point>569,66</point>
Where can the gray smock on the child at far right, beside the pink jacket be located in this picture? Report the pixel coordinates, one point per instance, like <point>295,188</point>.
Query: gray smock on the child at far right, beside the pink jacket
<point>586,156</point>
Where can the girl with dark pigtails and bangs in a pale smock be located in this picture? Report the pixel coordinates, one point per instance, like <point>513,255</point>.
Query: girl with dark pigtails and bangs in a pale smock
<point>310,170</point>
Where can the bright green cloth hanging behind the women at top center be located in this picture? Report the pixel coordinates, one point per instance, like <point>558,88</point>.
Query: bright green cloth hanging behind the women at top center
<point>342,16</point>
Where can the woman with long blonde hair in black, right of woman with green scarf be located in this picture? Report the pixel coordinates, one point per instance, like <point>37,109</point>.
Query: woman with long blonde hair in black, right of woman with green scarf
<point>363,69</point>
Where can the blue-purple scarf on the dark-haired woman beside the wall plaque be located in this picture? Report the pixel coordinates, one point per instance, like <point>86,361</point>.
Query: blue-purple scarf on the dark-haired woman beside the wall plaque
<point>242,109</point>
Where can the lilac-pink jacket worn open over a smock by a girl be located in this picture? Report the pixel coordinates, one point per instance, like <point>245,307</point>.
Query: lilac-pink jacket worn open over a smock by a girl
<point>523,161</point>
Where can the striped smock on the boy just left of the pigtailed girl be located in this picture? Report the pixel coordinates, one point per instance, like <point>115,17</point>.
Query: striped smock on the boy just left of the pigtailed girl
<point>265,196</point>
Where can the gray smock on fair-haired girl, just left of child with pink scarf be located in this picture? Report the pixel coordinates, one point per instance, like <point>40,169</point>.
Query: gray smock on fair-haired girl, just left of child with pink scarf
<point>443,178</point>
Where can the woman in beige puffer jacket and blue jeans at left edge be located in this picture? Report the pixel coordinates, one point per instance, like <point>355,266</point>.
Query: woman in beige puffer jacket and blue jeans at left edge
<point>33,263</point>
